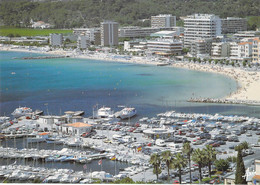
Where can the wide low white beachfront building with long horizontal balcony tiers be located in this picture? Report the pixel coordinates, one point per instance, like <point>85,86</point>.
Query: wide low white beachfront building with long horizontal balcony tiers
<point>165,46</point>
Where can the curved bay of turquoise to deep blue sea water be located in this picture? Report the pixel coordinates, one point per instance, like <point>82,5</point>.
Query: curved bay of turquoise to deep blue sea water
<point>78,84</point>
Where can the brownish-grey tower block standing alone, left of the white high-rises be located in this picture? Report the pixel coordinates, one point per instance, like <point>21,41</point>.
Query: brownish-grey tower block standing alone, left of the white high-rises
<point>109,33</point>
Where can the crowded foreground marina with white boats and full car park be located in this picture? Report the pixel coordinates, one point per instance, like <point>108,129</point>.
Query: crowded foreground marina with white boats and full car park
<point>124,146</point>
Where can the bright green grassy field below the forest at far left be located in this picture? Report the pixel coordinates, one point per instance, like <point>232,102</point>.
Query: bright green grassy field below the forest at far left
<point>17,32</point>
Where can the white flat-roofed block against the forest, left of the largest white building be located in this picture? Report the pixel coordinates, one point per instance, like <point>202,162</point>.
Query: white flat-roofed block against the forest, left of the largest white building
<point>163,21</point>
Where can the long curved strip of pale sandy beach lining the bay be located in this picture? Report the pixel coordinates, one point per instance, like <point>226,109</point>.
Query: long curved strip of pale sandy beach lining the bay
<point>247,81</point>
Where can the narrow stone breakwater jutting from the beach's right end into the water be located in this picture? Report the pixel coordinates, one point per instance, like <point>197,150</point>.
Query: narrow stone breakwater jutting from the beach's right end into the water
<point>224,101</point>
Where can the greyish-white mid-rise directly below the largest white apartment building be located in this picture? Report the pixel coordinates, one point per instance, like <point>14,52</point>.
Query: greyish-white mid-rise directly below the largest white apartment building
<point>201,47</point>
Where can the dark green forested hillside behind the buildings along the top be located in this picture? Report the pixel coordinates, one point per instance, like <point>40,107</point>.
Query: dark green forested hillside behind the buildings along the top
<point>78,13</point>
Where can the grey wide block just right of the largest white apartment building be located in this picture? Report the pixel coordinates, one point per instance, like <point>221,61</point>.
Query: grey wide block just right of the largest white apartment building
<point>233,25</point>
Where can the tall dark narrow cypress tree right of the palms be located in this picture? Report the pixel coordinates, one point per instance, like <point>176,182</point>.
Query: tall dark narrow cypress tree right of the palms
<point>240,169</point>
